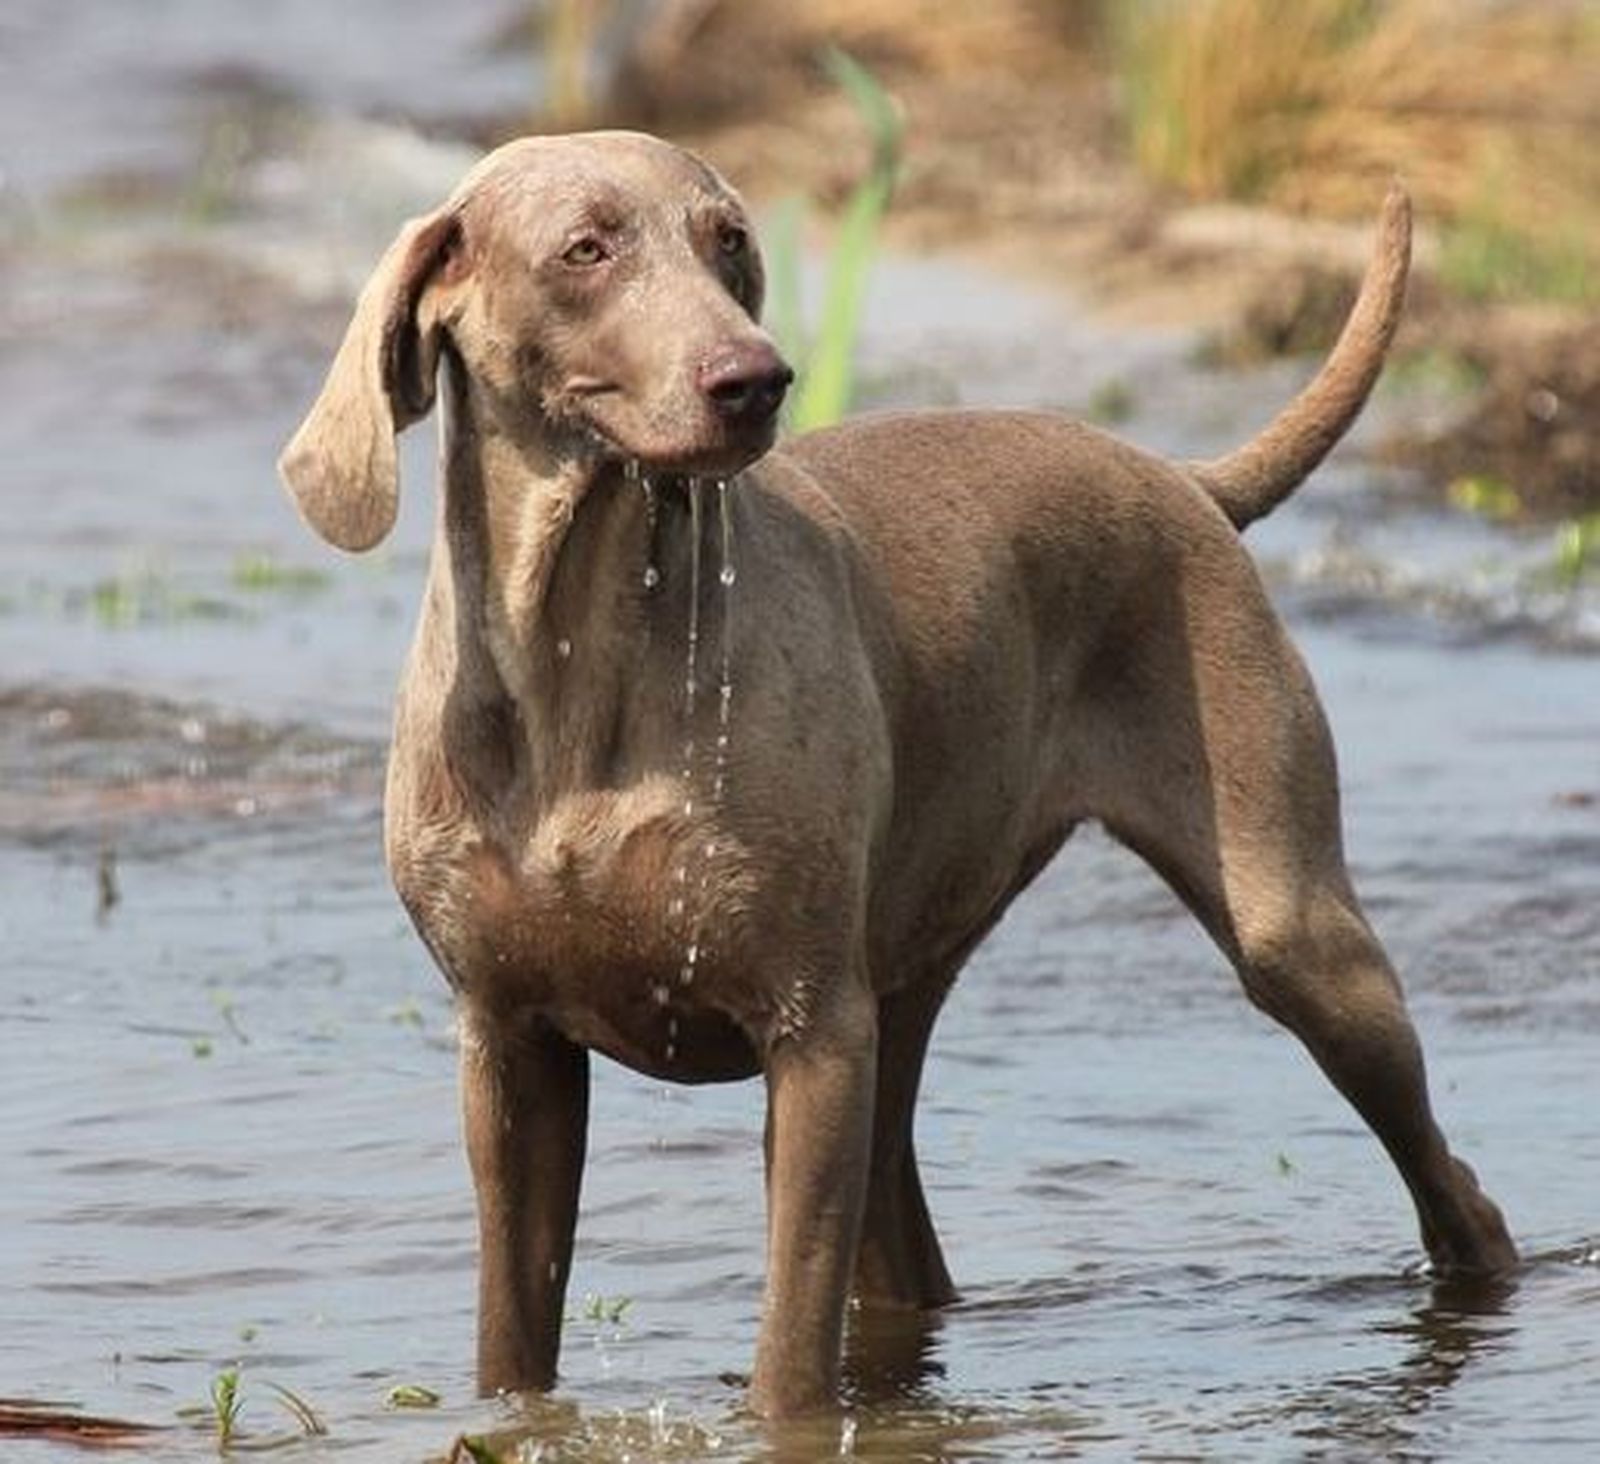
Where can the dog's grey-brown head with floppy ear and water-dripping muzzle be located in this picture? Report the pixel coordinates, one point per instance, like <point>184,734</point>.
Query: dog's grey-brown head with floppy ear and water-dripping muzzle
<point>601,294</point>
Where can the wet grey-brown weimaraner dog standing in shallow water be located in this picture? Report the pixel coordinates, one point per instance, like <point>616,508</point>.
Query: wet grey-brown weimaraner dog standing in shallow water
<point>724,831</point>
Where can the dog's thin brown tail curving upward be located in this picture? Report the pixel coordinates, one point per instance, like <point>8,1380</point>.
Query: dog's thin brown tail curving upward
<point>1254,481</point>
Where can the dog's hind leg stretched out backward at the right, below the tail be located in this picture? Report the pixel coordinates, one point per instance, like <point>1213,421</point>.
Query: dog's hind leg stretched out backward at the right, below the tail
<point>1228,786</point>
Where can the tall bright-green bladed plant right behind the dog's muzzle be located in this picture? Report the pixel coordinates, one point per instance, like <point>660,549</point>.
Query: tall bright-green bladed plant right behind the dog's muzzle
<point>826,359</point>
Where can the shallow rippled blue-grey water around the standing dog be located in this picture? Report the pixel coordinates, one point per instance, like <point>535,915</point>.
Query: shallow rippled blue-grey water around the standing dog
<point>228,1102</point>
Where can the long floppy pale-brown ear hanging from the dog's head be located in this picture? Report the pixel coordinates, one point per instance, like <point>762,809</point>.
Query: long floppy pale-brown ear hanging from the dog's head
<point>342,465</point>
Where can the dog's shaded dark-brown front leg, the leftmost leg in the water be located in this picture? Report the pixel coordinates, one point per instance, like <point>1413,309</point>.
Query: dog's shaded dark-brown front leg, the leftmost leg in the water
<point>526,1110</point>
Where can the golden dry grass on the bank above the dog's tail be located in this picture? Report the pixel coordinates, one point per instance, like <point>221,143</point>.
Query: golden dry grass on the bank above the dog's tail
<point>1489,110</point>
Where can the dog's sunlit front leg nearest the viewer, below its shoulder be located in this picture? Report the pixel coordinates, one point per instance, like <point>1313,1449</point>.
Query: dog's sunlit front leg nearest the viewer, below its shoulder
<point>820,1087</point>
